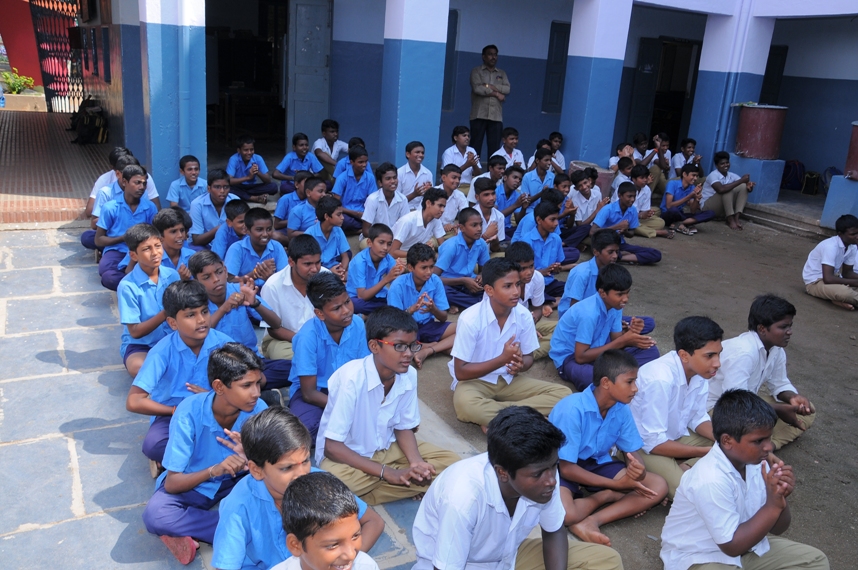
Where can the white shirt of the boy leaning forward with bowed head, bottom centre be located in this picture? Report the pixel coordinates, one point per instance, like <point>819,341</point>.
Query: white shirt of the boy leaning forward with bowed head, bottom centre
<point>463,522</point>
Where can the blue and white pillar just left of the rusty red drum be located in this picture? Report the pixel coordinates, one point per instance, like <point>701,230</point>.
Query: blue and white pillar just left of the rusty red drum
<point>732,65</point>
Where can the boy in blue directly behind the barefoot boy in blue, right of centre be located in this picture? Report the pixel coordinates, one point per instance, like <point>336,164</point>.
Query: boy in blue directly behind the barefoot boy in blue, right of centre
<point>595,325</point>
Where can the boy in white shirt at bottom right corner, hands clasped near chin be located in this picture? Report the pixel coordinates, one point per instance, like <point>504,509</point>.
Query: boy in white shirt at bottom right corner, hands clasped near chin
<point>730,500</point>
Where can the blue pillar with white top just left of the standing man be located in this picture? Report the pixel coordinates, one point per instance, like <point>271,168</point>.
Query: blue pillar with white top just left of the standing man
<point>415,37</point>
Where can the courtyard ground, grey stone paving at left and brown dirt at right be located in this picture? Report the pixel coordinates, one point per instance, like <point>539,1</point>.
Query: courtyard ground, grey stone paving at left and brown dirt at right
<point>76,482</point>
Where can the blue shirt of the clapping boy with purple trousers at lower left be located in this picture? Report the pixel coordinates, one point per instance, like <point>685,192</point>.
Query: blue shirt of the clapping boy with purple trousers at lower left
<point>193,444</point>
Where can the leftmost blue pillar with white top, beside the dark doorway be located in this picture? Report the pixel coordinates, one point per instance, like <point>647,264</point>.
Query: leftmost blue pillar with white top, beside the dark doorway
<point>173,53</point>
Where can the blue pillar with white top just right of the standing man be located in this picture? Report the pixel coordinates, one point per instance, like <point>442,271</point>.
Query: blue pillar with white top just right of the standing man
<point>594,69</point>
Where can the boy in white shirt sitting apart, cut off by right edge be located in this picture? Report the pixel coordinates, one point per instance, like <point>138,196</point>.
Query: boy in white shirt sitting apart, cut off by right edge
<point>829,270</point>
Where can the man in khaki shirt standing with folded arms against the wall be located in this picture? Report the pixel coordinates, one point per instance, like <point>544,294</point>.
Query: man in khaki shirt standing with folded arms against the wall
<point>489,88</point>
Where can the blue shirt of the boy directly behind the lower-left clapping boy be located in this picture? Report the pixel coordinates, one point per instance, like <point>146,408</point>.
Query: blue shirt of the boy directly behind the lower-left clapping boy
<point>171,363</point>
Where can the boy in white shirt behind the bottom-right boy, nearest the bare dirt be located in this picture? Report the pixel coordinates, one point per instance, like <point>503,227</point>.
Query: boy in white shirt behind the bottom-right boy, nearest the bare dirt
<point>756,358</point>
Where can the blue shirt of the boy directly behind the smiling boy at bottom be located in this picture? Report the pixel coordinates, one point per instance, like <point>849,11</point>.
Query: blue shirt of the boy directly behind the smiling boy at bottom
<point>250,533</point>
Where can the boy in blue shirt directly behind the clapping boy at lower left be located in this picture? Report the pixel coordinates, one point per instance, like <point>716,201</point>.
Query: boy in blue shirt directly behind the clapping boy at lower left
<point>175,367</point>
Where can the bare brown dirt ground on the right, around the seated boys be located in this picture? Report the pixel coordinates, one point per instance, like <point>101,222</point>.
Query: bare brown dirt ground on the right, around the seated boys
<point>717,273</point>
